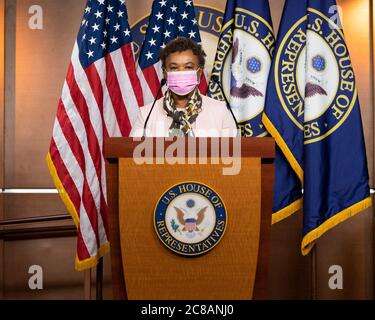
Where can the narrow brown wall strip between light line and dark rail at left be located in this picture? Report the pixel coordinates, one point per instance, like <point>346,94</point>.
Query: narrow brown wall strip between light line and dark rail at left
<point>31,205</point>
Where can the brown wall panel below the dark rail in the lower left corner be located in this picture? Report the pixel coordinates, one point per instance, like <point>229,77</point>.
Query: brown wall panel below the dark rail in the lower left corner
<point>56,257</point>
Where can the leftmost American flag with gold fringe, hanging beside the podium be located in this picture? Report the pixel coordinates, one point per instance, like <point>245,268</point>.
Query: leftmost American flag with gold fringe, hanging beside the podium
<point>100,98</point>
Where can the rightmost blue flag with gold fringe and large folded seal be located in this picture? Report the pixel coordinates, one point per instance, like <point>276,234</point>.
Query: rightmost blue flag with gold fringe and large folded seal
<point>313,112</point>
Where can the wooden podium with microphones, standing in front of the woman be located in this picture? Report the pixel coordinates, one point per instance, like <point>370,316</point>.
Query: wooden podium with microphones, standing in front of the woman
<point>142,266</point>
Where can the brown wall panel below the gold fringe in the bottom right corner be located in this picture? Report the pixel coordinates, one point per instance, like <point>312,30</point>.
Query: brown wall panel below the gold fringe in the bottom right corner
<point>349,245</point>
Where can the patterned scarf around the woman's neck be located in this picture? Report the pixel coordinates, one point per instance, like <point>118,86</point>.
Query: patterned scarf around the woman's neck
<point>182,120</point>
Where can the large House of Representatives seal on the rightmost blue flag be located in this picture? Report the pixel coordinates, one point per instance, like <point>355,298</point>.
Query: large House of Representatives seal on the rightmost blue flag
<point>314,77</point>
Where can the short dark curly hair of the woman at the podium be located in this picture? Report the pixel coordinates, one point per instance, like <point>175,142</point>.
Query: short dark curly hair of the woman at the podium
<point>181,44</point>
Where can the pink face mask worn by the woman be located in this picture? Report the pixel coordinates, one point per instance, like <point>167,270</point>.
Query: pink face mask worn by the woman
<point>182,82</point>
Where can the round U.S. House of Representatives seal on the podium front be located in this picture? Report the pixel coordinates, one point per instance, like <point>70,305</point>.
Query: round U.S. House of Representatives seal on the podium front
<point>190,218</point>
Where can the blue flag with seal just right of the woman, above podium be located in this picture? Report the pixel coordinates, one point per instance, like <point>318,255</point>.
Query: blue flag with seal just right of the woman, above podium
<point>242,63</point>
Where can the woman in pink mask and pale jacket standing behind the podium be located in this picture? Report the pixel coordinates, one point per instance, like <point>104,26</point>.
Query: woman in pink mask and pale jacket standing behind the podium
<point>183,111</point>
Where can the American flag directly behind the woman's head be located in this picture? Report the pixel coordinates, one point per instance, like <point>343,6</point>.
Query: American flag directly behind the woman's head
<point>169,19</point>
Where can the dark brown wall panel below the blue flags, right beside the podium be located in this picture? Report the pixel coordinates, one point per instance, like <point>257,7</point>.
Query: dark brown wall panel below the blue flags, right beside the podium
<point>290,272</point>
